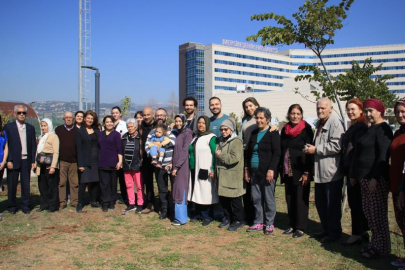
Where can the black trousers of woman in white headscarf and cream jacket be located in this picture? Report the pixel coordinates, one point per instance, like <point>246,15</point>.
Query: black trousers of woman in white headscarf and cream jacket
<point>48,189</point>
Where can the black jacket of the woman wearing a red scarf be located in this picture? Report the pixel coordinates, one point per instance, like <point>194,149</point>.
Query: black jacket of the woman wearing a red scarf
<point>300,162</point>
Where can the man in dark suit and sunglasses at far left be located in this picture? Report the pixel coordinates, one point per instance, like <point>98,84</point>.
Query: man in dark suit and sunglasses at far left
<point>21,159</point>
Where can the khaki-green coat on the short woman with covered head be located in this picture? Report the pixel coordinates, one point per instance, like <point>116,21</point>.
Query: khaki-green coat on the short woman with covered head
<point>229,168</point>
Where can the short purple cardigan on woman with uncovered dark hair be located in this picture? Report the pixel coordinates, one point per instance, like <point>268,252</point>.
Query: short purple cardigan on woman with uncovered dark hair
<point>110,147</point>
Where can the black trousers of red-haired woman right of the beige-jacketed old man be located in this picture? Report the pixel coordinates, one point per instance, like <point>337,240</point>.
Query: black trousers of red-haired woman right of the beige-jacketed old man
<point>359,221</point>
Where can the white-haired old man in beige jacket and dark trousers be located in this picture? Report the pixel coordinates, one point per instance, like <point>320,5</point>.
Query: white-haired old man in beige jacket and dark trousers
<point>327,174</point>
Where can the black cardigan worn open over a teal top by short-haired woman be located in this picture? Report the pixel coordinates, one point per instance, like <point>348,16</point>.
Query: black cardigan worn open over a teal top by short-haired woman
<point>268,149</point>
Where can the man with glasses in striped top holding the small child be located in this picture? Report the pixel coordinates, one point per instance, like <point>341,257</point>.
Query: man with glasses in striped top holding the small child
<point>162,174</point>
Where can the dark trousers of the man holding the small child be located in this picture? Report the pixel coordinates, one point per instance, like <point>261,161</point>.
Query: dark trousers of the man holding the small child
<point>165,197</point>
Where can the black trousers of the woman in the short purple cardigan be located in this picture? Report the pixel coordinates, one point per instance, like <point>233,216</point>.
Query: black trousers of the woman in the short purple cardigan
<point>108,186</point>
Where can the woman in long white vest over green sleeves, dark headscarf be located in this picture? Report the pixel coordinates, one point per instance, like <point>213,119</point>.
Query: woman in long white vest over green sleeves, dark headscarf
<point>203,191</point>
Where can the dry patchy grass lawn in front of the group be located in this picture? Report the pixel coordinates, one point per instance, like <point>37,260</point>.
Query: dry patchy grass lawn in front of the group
<point>97,240</point>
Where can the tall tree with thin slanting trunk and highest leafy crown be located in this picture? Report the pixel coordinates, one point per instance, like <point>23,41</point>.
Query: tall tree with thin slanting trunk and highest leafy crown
<point>315,27</point>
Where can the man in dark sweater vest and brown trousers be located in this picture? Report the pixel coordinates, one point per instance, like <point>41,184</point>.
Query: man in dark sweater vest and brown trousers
<point>67,161</point>
